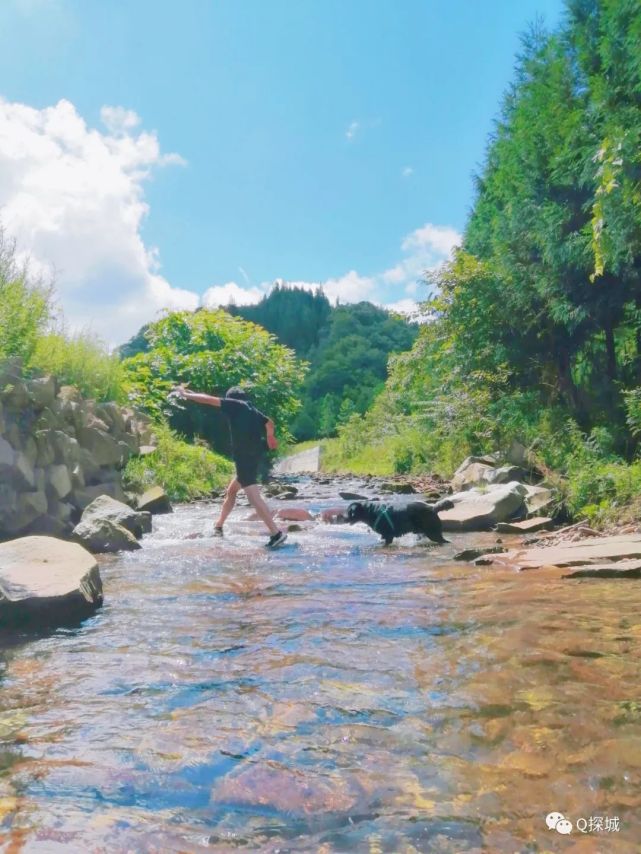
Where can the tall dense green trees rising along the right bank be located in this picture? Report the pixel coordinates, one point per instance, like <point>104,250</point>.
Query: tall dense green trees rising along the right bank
<point>537,319</point>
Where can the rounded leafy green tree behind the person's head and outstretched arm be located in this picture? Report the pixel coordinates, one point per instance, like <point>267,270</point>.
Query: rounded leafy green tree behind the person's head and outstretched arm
<point>212,351</point>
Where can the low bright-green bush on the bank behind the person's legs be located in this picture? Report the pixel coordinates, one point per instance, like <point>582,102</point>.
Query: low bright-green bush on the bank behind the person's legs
<point>186,471</point>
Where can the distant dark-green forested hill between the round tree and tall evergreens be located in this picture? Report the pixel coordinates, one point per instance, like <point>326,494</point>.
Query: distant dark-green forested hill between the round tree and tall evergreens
<point>347,347</point>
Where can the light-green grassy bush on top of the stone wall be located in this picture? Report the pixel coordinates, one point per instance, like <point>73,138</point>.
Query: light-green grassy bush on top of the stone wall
<point>81,360</point>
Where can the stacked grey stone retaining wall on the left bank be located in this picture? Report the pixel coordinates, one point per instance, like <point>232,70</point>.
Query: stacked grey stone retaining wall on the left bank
<point>58,451</point>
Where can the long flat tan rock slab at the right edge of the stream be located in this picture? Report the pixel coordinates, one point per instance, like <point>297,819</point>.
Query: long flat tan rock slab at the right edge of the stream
<point>592,551</point>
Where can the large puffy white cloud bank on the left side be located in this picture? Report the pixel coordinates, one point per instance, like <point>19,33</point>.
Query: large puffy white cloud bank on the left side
<point>72,197</point>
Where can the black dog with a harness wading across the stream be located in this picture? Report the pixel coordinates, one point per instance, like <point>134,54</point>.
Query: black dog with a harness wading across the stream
<point>389,521</point>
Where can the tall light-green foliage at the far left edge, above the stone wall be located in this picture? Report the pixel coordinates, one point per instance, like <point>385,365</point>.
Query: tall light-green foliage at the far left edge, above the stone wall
<point>25,305</point>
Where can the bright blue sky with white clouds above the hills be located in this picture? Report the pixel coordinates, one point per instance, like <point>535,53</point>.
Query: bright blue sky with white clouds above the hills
<point>327,141</point>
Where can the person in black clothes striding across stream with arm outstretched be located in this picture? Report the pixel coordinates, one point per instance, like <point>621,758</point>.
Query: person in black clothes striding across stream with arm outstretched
<point>251,434</point>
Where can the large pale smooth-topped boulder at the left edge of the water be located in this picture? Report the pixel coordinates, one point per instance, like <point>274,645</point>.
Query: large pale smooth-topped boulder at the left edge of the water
<point>44,579</point>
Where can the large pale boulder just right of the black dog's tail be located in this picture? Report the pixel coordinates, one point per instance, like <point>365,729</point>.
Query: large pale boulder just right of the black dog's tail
<point>481,509</point>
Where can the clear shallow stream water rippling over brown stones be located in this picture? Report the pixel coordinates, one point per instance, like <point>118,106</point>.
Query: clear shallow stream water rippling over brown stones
<point>331,696</point>
